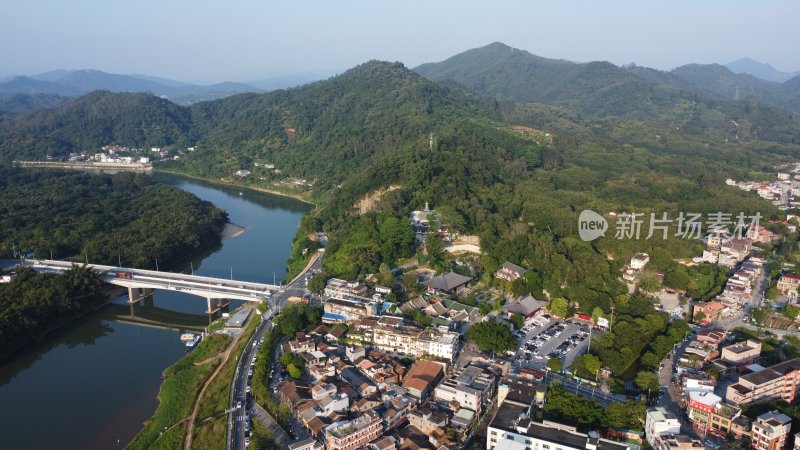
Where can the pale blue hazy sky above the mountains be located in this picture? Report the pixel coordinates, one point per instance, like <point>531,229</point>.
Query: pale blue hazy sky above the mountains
<point>204,40</point>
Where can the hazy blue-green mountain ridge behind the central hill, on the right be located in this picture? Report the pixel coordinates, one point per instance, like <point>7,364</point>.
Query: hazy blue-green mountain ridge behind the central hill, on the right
<point>599,90</point>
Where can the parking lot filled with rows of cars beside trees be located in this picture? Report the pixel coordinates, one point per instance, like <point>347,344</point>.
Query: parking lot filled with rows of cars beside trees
<point>544,338</point>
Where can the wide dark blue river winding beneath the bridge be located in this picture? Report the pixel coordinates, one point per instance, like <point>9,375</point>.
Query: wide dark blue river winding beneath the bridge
<point>92,383</point>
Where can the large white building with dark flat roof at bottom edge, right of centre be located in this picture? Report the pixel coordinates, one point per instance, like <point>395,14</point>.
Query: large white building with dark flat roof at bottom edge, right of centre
<point>512,429</point>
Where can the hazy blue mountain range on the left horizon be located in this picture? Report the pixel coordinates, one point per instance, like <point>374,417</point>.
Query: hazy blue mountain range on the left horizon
<point>77,82</point>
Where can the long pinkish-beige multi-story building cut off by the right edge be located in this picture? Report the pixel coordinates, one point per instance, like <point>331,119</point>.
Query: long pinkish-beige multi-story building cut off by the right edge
<point>780,381</point>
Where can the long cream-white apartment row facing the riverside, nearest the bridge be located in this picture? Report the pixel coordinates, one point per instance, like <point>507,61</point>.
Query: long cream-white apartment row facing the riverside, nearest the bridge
<point>398,335</point>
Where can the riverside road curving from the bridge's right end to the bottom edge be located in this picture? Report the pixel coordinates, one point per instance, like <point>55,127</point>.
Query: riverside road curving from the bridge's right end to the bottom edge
<point>238,419</point>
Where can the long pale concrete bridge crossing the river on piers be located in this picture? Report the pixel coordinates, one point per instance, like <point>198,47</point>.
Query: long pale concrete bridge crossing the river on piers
<point>140,283</point>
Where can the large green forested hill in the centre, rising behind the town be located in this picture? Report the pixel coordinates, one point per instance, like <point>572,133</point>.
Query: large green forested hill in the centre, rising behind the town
<point>516,175</point>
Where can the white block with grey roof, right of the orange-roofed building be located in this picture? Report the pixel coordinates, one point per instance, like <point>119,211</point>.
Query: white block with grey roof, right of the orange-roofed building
<point>473,388</point>
